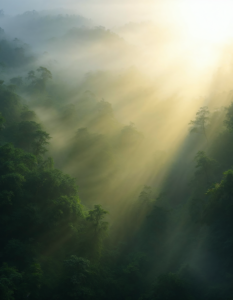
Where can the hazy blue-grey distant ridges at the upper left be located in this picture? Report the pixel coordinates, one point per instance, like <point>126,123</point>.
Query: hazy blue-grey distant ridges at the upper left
<point>35,27</point>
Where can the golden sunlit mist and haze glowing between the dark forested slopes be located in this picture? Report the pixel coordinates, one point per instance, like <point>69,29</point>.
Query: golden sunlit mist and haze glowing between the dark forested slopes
<point>156,63</point>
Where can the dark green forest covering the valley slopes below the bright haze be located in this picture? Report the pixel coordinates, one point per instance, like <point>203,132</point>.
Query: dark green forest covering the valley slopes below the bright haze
<point>170,241</point>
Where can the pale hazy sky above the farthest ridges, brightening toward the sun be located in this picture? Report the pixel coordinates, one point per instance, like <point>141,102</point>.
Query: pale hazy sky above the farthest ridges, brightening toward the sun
<point>208,19</point>
